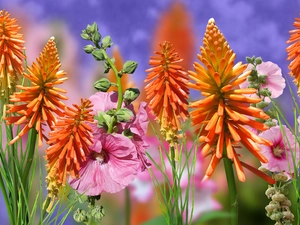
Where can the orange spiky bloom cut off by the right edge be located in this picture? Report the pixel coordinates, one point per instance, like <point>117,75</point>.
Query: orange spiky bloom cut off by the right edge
<point>294,53</point>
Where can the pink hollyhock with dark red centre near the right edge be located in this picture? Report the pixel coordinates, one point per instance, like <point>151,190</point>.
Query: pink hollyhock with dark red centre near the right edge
<point>280,154</point>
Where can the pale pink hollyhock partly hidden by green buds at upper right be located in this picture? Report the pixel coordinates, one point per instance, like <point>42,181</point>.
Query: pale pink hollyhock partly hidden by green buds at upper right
<point>275,81</point>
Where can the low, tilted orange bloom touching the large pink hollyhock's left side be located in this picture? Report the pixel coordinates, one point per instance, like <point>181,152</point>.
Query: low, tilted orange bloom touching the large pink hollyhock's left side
<point>69,145</point>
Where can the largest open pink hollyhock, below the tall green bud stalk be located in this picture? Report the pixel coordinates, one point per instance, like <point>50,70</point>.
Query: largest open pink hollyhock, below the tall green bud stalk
<point>111,166</point>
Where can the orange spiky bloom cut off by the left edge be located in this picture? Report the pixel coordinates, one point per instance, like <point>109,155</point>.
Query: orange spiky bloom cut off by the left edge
<point>11,53</point>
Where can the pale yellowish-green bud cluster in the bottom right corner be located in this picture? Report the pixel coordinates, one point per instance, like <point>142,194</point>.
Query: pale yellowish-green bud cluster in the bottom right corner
<point>278,208</point>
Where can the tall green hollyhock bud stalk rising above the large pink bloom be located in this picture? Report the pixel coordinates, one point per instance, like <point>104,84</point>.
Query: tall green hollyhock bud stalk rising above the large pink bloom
<point>110,119</point>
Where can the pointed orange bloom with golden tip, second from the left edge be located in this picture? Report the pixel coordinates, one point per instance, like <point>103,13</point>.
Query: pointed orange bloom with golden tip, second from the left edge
<point>41,99</point>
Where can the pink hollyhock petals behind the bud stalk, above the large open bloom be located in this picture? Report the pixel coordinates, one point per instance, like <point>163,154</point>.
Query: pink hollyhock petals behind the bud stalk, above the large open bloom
<point>104,101</point>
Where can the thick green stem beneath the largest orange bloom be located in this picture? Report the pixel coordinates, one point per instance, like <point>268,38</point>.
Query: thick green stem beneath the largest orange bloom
<point>232,190</point>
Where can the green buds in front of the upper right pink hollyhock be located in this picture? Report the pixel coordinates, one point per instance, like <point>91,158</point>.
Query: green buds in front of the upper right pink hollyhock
<point>256,81</point>
